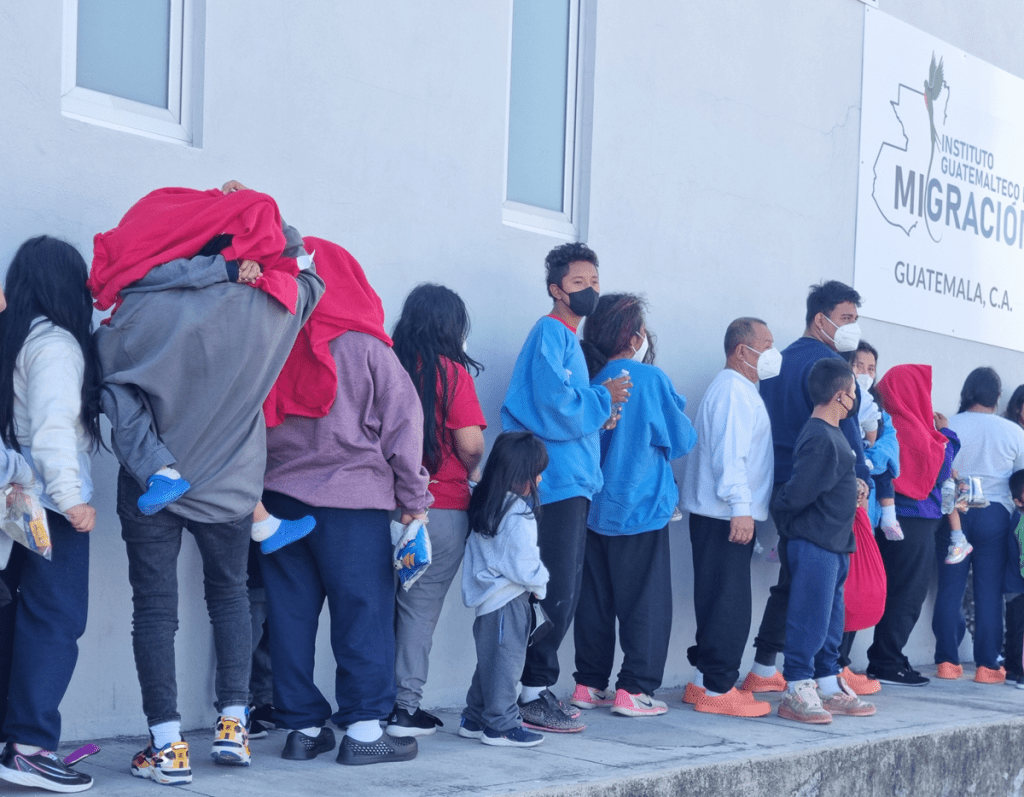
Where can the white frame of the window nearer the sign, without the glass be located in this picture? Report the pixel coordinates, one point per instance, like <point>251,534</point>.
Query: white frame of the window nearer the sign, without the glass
<point>571,224</point>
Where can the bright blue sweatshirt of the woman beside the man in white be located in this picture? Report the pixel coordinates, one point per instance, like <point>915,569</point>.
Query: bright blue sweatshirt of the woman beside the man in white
<point>639,493</point>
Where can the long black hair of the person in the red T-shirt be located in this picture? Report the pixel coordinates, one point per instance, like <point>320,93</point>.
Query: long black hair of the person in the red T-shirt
<point>435,323</point>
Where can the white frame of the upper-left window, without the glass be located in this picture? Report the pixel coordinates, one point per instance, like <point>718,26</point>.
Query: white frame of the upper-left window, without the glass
<point>175,123</point>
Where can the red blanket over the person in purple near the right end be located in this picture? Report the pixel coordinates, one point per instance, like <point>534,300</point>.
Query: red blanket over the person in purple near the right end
<point>907,394</point>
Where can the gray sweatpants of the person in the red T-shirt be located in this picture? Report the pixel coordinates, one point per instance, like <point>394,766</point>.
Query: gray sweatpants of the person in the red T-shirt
<point>418,610</point>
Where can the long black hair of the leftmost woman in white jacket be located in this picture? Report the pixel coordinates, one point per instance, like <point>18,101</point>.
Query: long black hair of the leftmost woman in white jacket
<point>48,278</point>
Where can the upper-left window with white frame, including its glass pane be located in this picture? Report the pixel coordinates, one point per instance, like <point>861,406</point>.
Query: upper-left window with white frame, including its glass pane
<point>135,66</point>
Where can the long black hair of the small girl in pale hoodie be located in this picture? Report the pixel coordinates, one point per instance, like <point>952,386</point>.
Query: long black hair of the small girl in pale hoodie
<point>517,460</point>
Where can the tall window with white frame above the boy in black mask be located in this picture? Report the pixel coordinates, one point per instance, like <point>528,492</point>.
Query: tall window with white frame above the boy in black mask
<point>548,117</point>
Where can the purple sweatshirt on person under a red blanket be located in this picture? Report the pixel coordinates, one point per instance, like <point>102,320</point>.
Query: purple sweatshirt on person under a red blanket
<point>368,452</point>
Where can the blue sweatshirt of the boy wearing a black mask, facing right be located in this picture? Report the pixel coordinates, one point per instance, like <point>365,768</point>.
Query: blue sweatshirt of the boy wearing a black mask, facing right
<point>551,396</point>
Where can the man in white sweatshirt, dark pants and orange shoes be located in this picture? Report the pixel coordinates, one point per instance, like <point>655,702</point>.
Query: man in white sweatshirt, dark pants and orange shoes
<point>728,483</point>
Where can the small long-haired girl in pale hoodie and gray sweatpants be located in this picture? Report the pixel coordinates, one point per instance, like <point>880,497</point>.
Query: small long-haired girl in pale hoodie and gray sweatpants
<point>501,571</point>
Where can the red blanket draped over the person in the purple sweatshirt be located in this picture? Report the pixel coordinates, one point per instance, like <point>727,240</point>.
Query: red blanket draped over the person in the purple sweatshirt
<point>309,383</point>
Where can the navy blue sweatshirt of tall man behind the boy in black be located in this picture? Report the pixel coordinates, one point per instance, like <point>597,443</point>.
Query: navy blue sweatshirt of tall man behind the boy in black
<point>789,403</point>
